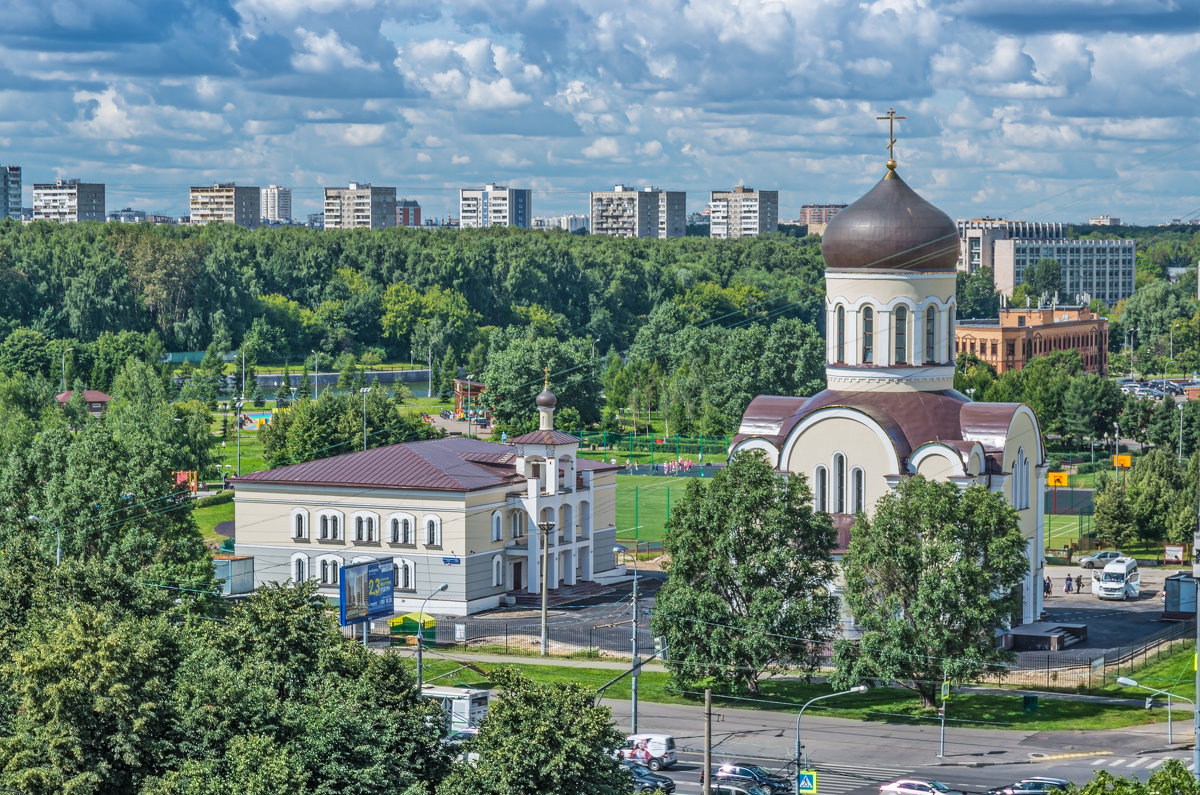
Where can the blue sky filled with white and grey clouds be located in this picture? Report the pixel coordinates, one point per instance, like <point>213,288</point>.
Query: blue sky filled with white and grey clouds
<point>1033,110</point>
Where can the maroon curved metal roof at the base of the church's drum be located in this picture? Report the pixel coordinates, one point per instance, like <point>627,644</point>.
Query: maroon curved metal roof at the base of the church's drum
<point>909,419</point>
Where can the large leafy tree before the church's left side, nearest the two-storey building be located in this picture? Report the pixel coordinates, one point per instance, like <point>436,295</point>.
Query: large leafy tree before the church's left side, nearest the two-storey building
<point>747,590</point>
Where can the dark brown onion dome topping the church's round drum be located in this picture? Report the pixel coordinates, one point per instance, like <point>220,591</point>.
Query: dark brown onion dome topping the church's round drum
<point>891,229</point>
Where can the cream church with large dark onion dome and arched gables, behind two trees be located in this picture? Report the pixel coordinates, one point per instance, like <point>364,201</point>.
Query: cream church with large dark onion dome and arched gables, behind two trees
<point>891,410</point>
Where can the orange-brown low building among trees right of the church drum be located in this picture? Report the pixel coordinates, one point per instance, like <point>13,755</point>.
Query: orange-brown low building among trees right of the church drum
<point>1009,342</point>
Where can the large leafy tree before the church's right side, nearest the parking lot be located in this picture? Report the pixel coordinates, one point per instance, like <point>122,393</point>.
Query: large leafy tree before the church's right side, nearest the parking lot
<point>931,578</point>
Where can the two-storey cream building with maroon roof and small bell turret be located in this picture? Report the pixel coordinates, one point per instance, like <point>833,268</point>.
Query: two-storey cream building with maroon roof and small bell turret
<point>455,511</point>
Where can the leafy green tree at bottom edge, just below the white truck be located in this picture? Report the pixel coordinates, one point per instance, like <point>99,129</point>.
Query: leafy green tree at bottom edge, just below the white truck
<point>549,739</point>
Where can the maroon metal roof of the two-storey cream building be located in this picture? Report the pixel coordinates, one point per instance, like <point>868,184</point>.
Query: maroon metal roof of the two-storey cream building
<point>452,464</point>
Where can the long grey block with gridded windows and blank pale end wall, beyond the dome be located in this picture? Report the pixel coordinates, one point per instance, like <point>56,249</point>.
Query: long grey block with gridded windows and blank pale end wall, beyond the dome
<point>1102,270</point>
